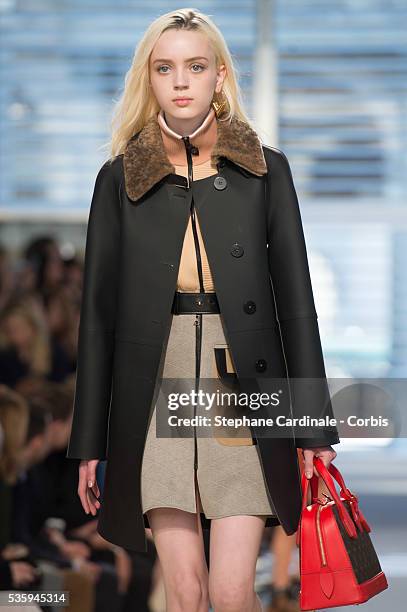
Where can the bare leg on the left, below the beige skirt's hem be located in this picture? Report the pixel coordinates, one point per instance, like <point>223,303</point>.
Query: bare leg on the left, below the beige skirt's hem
<point>178,539</point>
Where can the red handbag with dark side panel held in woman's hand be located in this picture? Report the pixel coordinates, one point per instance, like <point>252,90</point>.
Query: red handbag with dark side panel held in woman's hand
<point>338,563</point>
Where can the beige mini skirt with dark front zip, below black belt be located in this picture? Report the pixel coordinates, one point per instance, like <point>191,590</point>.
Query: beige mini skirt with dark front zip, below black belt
<point>229,478</point>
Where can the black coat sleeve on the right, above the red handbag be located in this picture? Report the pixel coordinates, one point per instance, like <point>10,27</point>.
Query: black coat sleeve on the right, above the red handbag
<point>293,295</point>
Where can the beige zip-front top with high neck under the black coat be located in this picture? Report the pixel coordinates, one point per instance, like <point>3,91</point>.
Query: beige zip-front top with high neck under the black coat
<point>204,137</point>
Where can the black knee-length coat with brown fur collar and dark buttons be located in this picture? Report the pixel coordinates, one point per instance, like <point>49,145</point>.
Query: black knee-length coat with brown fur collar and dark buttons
<point>251,225</point>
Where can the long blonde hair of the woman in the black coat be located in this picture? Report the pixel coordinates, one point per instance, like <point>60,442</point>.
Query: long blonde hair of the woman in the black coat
<point>137,103</point>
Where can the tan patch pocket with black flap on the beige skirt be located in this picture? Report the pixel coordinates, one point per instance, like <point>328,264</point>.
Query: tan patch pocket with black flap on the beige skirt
<point>224,371</point>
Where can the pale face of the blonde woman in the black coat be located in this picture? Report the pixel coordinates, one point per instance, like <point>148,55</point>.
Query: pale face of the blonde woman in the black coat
<point>182,63</point>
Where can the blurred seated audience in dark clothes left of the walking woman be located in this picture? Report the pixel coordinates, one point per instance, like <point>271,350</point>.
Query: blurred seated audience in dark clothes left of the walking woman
<point>46,539</point>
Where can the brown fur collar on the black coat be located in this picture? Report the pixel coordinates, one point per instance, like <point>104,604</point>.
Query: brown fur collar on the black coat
<point>145,161</point>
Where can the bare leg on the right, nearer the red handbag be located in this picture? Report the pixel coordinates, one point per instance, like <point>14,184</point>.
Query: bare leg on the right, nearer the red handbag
<point>234,549</point>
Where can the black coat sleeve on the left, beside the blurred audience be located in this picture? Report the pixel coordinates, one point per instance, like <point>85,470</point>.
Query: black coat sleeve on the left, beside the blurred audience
<point>88,439</point>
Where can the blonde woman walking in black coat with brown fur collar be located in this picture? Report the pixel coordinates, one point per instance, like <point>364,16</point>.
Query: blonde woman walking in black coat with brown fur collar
<point>194,246</point>
